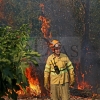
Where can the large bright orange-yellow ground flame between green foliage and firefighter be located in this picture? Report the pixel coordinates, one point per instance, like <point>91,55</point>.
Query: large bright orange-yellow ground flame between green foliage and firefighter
<point>34,87</point>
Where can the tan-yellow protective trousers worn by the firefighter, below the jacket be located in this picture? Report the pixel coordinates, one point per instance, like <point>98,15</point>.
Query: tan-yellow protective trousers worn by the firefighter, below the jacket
<point>60,91</point>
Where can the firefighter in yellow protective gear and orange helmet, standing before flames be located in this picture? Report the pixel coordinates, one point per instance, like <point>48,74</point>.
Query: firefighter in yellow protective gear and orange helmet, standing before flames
<point>60,71</point>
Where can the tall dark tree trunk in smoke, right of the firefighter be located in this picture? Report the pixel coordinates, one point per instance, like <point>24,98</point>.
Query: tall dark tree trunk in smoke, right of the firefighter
<point>85,47</point>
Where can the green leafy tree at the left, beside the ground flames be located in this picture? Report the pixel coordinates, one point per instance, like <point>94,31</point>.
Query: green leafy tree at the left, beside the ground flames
<point>15,56</point>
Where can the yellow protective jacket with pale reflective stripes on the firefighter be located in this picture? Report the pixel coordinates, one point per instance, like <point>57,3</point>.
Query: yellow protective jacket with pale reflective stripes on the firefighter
<point>64,65</point>
